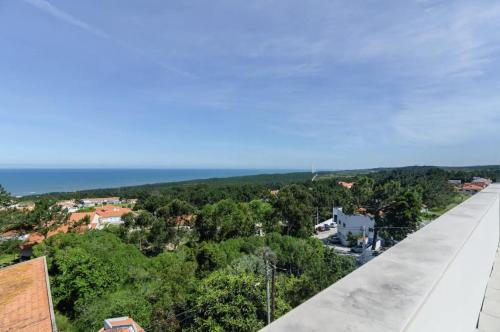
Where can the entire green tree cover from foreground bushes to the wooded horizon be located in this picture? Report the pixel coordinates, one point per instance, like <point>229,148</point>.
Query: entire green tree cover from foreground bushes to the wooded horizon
<point>195,255</point>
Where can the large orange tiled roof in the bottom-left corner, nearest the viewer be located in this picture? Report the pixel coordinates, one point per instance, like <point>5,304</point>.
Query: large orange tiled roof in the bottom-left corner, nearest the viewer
<point>25,302</point>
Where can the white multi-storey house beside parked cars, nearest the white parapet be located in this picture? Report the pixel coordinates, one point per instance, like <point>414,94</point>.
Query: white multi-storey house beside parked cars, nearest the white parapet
<point>354,224</point>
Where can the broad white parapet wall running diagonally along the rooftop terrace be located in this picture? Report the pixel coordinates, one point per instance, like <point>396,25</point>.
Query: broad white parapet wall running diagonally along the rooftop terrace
<point>432,281</point>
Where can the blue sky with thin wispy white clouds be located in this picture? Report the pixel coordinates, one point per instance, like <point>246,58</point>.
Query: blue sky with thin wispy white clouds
<point>249,84</point>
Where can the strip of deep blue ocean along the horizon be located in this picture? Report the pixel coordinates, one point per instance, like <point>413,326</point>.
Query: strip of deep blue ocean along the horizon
<point>22,182</point>
